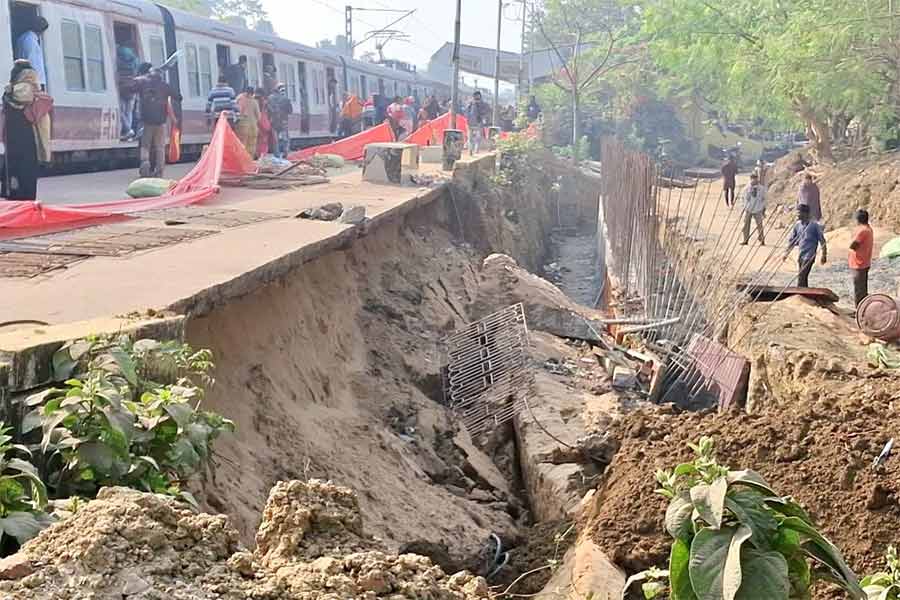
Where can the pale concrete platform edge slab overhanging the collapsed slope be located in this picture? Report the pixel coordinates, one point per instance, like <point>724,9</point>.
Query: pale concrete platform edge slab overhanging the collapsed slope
<point>195,276</point>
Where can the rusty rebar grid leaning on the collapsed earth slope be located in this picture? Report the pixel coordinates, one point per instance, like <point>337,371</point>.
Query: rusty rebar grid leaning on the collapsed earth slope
<point>488,369</point>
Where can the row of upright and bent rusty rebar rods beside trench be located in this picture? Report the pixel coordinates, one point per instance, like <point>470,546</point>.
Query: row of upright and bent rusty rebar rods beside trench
<point>655,226</point>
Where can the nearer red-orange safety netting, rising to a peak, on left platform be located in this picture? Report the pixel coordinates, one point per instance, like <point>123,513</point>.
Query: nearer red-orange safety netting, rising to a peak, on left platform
<point>225,154</point>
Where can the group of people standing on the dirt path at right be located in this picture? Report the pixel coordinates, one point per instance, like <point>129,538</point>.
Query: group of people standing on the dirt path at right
<point>807,234</point>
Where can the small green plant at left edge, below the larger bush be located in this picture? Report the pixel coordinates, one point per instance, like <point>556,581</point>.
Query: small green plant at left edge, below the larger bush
<point>23,496</point>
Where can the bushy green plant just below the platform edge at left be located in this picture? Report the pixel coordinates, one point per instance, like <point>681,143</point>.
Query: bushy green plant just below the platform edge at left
<point>127,414</point>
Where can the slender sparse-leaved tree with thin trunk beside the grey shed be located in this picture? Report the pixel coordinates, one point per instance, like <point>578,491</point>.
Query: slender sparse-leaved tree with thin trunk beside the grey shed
<point>590,39</point>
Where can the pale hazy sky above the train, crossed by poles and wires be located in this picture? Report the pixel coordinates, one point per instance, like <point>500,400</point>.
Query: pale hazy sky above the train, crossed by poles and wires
<point>309,21</point>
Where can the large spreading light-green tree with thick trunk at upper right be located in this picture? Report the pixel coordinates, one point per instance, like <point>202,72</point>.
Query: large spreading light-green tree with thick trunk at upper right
<point>815,62</point>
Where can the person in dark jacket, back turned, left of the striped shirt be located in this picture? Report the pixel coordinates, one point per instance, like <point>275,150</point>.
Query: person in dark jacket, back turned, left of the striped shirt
<point>155,96</point>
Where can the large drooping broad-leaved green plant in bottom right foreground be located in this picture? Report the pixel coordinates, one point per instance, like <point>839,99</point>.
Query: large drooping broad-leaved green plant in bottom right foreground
<point>736,539</point>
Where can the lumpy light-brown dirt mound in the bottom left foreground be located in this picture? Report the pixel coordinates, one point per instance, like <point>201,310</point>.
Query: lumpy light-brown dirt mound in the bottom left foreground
<point>143,546</point>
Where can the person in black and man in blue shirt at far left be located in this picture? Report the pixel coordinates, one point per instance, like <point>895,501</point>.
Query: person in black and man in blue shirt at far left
<point>26,114</point>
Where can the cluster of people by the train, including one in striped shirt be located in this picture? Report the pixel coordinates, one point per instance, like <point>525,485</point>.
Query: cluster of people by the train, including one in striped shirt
<point>260,115</point>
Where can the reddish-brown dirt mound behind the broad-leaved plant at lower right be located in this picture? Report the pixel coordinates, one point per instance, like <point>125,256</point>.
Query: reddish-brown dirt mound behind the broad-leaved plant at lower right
<point>820,416</point>
